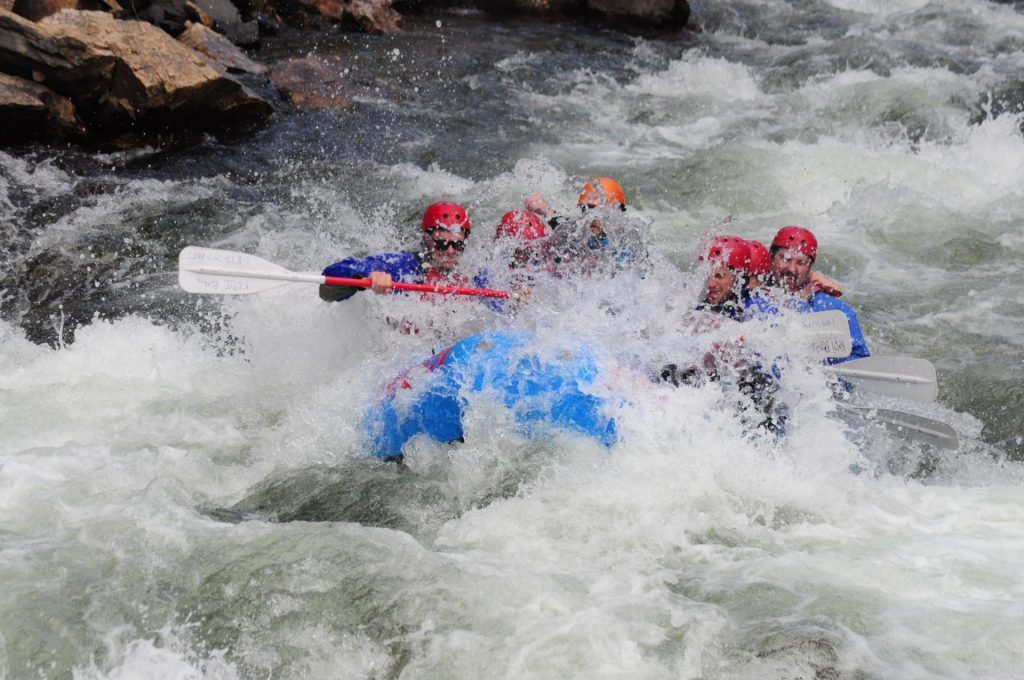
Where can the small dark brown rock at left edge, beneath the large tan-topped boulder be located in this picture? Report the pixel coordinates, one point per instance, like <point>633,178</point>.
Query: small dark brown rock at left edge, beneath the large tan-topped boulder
<point>31,112</point>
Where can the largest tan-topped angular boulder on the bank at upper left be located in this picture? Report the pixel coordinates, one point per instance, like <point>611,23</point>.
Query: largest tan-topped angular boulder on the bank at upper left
<point>126,77</point>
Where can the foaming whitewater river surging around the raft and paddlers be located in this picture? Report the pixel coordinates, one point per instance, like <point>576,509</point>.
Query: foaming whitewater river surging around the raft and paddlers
<point>184,486</point>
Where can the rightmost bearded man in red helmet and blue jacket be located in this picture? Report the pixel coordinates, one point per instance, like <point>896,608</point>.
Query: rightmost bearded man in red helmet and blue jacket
<point>790,285</point>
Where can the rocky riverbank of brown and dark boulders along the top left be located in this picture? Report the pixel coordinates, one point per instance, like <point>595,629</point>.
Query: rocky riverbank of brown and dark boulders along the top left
<point>96,73</point>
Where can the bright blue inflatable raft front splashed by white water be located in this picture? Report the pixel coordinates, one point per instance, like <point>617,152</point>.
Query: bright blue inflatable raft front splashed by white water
<point>550,387</point>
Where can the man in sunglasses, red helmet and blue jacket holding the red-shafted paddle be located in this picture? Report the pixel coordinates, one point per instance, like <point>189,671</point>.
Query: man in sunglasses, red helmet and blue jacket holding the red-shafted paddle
<point>444,231</point>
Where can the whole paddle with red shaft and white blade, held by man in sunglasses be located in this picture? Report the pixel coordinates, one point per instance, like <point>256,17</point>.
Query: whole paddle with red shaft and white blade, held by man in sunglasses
<point>231,273</point>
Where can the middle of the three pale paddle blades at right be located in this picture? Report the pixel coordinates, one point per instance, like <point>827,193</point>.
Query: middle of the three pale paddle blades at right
<point>892,376</point>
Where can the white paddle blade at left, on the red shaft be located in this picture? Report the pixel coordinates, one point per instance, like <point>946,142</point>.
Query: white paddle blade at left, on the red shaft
<point>231,273</point>
